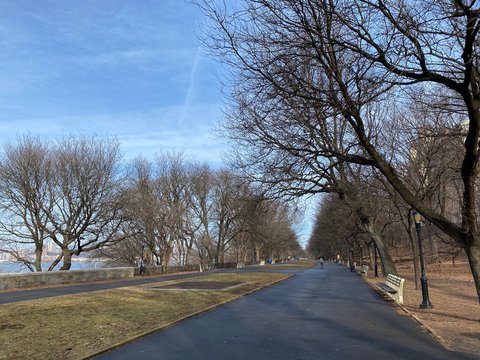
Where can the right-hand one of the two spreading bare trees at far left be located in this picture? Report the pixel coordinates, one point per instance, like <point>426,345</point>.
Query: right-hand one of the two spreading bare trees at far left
<point>85,189</point>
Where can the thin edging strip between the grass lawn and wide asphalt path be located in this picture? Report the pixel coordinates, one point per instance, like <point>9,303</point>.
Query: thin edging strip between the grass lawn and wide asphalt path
<point>163,327</point>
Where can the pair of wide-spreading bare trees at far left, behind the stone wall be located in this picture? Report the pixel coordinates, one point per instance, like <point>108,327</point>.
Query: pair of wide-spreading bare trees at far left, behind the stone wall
<point>68,192</point>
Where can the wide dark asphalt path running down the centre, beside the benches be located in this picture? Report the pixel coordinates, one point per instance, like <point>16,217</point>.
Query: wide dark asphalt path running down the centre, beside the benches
<point>316,314</point>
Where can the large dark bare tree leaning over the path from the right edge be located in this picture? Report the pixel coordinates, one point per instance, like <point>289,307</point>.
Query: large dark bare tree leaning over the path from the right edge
<point>300,61</point>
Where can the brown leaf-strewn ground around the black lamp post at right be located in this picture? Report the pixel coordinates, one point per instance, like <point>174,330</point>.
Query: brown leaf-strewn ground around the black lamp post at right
<point>455,317</point>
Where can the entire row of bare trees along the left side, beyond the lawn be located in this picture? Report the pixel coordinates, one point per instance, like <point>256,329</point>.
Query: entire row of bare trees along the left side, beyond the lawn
<point>77,193</point>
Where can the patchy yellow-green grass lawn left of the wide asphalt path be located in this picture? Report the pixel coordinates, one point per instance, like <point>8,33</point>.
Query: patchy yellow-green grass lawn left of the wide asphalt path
<point>78,326</point>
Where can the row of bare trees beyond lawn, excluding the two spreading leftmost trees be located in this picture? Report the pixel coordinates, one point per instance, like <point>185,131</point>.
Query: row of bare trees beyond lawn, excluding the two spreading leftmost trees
<point>183,212</point>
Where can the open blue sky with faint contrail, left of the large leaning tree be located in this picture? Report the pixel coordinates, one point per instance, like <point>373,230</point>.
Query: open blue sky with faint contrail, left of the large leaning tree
<point>132,69</point>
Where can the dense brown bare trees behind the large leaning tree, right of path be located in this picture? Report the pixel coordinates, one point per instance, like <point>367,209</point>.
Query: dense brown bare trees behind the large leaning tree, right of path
<point>373,215</point>
